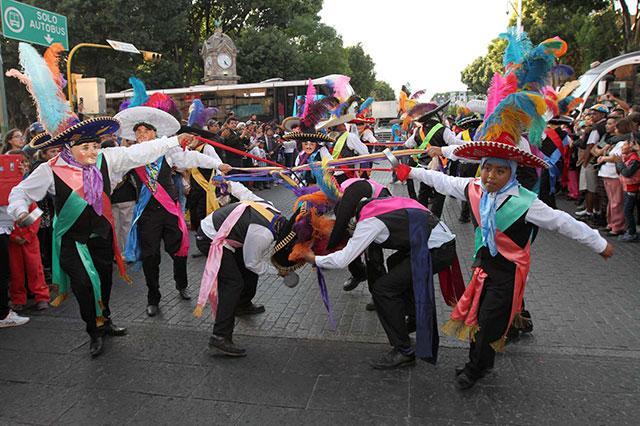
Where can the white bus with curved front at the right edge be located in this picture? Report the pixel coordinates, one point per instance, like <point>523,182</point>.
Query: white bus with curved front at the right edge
<point>620,76</point>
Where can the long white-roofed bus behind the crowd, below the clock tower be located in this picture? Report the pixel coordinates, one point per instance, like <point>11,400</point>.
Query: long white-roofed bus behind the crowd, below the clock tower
<point>272,99</point>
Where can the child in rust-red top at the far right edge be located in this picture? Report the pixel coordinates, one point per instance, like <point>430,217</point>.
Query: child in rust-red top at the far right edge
<point>629,169</point>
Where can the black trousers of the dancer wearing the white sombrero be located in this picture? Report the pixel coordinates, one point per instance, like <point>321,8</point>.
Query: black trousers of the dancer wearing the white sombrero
<point>154,226</point>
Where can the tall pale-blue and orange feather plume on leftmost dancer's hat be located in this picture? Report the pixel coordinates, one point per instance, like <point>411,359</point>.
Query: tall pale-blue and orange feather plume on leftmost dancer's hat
<point>54,111</point>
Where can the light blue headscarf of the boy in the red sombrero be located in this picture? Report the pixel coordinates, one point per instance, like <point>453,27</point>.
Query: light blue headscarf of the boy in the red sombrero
<point>488,205</point>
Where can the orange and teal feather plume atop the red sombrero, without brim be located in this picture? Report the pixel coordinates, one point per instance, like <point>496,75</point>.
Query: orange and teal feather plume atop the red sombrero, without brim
<point>518,113</point>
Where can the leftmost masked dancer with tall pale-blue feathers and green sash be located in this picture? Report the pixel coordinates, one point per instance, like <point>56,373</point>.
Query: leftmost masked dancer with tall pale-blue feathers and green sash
<point>80,179</point>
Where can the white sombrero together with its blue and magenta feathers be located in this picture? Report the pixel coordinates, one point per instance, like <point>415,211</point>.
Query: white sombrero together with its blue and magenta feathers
<point>157,112</point>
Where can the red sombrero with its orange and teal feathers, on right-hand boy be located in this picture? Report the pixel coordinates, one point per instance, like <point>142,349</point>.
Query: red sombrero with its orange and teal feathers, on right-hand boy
<point>500,133</point>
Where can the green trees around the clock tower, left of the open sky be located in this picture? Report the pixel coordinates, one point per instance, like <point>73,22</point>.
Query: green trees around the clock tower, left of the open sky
<point>275,38</point>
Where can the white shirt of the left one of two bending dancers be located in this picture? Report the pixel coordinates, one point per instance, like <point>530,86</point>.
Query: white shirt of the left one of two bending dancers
<point>257,251</point>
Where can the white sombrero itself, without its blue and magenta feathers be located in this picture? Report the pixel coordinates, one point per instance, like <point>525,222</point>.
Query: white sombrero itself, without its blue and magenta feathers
<point>163,122</point>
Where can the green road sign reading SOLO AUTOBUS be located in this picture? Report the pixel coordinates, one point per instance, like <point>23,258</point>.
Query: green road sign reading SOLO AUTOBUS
<point>34,25</point>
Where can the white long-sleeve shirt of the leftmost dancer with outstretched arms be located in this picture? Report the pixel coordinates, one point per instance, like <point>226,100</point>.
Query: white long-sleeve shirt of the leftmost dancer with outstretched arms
<point>119,161</point>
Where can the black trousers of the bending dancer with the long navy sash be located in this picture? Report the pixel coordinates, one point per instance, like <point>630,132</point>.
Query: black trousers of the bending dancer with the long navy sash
<point>390,293</point>
